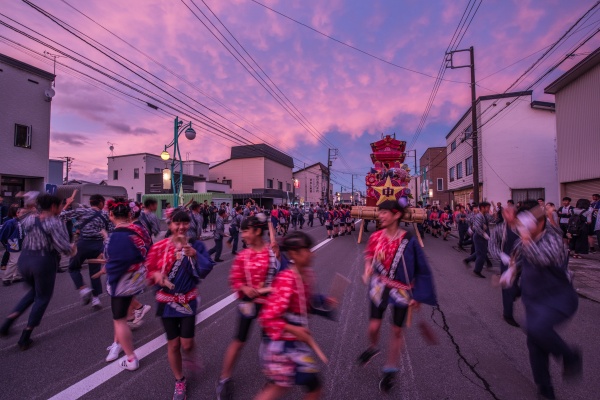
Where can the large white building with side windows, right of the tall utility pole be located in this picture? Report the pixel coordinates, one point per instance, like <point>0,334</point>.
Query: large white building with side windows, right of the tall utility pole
<point>517,151</point>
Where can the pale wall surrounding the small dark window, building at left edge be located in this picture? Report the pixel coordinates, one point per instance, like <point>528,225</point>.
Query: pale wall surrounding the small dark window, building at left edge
<point>24,103</point>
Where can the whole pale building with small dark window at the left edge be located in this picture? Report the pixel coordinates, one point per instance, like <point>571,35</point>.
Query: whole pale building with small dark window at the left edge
<point>25,99</point>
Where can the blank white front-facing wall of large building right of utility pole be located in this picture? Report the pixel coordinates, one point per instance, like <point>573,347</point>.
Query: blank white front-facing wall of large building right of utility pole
<point>519,152</point>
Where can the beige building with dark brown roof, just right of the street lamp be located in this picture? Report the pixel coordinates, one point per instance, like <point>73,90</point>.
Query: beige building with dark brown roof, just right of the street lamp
<point>257,171</point>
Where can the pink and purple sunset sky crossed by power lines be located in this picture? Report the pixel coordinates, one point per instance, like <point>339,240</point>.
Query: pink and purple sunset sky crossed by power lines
<point>347,98</point>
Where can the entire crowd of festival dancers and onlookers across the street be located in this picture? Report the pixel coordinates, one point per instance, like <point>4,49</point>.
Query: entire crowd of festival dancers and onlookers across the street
<point>274,280</point>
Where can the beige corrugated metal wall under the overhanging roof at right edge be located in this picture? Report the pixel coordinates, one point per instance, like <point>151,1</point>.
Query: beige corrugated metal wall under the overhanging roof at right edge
<point>578,128</point>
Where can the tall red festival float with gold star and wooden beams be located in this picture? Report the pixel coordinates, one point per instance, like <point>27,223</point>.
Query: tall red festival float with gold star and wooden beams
<point>388,179</point>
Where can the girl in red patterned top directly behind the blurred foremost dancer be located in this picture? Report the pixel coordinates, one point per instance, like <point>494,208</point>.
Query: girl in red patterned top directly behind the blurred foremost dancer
<point>252,273</point>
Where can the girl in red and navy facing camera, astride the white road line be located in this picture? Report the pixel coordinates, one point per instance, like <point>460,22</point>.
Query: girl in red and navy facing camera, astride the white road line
<point>177,268</point>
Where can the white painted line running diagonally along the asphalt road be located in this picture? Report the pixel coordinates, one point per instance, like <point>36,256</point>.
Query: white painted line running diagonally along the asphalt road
<point>99,377</point>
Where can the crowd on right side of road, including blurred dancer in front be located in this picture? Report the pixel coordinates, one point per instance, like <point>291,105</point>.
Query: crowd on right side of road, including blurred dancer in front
<point>533,240</point>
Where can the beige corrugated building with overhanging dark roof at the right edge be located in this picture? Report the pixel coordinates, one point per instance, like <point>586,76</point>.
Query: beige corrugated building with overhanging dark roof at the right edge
<point>577,94</point>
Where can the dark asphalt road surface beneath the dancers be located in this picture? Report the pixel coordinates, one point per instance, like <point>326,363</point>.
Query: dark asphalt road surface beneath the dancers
<point>478,356</point>
